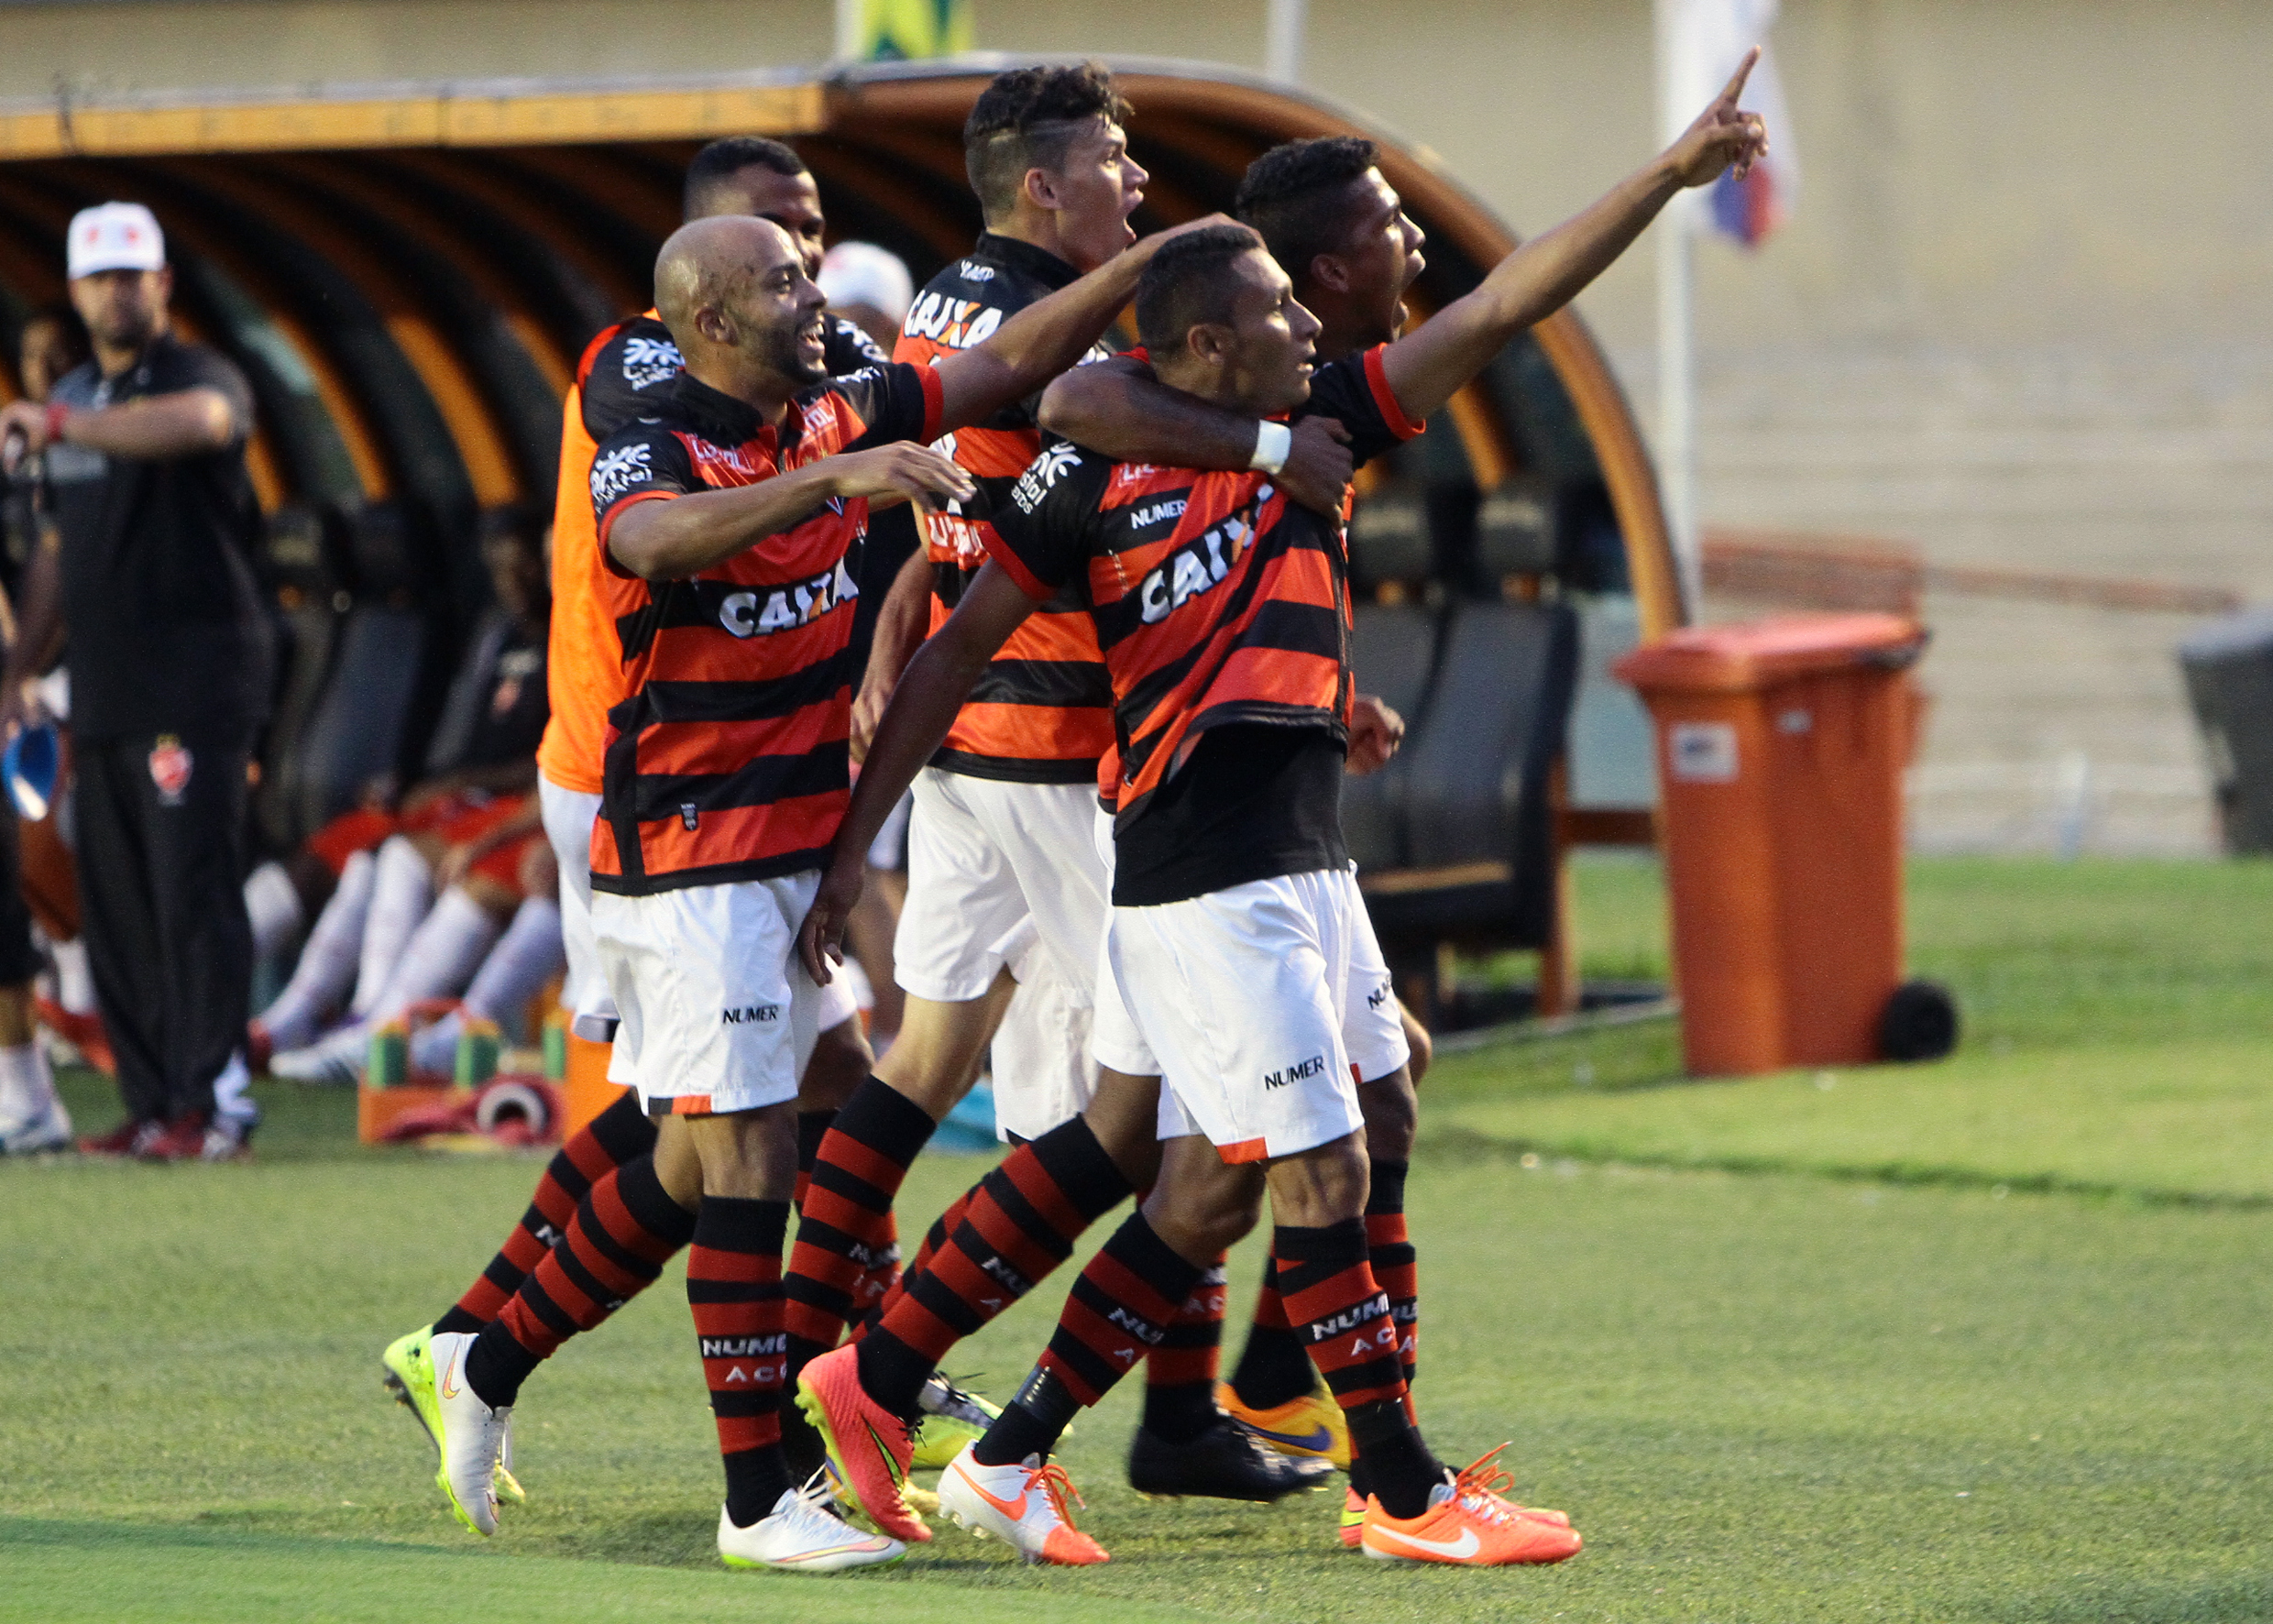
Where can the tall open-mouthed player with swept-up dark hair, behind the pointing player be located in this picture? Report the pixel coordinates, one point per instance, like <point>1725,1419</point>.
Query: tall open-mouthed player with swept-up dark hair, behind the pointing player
<point>1001,832</point>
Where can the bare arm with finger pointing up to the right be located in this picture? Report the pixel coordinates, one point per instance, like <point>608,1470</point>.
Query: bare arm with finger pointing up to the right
<point>1549,271</point>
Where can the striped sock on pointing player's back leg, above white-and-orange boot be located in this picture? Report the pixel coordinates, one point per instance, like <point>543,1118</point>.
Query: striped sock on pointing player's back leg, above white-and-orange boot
<point>1117,1312</point>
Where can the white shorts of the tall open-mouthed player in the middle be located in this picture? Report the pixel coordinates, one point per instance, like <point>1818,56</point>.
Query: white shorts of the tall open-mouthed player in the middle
<point>985,855</point>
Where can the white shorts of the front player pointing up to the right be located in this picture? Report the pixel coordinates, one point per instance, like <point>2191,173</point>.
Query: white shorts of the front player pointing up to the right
<point>1244,998</point>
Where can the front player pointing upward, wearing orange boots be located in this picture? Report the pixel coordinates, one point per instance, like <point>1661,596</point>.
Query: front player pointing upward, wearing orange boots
<point>1222,612</point>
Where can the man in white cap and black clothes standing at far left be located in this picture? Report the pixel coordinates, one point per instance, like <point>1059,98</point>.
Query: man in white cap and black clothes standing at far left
<point>151,583</point>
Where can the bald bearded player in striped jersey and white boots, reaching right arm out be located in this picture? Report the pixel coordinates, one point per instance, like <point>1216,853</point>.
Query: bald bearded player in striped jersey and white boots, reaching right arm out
<point>742,508</point>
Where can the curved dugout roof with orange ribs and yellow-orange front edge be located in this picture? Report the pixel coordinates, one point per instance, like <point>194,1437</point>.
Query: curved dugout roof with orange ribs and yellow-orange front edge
<point>410,271</point>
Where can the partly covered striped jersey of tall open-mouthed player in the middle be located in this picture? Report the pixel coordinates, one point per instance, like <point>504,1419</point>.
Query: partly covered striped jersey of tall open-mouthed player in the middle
<point>1042,712</point>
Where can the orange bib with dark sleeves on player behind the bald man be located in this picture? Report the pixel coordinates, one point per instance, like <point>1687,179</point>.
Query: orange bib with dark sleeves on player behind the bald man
<point>622,378</point>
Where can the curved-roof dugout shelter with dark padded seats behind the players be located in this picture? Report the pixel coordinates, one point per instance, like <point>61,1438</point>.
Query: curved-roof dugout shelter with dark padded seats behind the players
<point>410,274</point>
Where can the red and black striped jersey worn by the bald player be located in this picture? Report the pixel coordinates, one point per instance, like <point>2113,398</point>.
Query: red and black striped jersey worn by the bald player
<point>728,760</point>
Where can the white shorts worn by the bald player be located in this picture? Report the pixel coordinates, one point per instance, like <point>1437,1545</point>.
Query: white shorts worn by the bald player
<point>717,1010</point>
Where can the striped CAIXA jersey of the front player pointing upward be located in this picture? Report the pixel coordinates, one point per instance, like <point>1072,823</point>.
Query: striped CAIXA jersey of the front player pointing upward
<point>1217,603</point>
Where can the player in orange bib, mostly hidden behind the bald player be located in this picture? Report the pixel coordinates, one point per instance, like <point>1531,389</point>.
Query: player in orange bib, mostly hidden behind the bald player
<point>599,1196</point>
